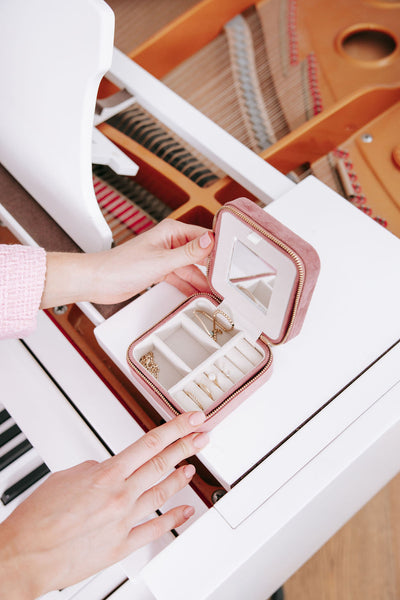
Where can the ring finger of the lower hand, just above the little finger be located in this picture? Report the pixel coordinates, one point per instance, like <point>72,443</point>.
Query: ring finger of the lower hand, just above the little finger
<point>155,497</point>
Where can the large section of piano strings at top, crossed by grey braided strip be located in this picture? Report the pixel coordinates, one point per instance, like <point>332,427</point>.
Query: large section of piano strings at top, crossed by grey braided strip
<point>285,87</point>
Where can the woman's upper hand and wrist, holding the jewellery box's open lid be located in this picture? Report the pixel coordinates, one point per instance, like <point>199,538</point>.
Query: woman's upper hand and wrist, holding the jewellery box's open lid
<point>168,252</point>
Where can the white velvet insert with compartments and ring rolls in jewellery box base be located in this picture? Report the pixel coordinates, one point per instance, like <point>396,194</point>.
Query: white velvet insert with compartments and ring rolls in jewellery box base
<point>197,371</point>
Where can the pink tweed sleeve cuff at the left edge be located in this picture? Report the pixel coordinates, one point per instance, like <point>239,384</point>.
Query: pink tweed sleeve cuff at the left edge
<point>22,277</point>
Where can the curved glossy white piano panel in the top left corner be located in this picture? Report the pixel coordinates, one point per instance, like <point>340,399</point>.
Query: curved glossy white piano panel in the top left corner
<point>53,57</point>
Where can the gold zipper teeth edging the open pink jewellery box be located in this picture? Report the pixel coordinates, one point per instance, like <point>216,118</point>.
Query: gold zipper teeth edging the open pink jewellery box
<point>300,267</point>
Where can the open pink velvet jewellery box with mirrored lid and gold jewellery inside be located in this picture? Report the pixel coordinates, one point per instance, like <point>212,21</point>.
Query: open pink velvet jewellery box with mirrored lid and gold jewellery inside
<point>214,350</point>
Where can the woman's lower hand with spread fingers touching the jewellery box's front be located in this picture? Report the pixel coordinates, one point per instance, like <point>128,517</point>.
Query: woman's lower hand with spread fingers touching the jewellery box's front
<point>84,519</point>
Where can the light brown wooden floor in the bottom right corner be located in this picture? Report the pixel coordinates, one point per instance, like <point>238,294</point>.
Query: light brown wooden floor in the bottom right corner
<point>362,561</point>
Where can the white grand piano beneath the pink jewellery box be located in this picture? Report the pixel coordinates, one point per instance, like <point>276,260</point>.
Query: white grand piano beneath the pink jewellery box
<point>299,457</point>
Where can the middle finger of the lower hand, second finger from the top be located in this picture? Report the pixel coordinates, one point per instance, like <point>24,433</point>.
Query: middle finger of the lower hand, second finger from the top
<point>154,442</point>
